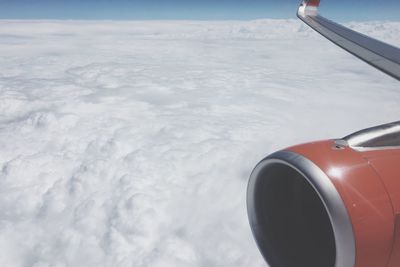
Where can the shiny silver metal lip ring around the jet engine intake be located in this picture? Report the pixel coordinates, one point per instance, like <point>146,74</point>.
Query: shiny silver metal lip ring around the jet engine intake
<point>337,212</point>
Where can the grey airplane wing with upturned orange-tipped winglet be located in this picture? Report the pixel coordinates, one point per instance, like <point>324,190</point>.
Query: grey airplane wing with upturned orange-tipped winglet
<point>380,55</point>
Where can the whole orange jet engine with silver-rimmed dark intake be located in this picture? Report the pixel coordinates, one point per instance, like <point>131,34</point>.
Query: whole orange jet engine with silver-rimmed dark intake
<point>332,203</point>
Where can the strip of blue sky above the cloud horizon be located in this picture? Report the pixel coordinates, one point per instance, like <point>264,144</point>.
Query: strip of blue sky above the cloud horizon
<point>192,9</point>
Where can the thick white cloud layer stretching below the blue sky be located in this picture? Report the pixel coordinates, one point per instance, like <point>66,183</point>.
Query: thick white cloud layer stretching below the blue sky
<point>130,143</point>
